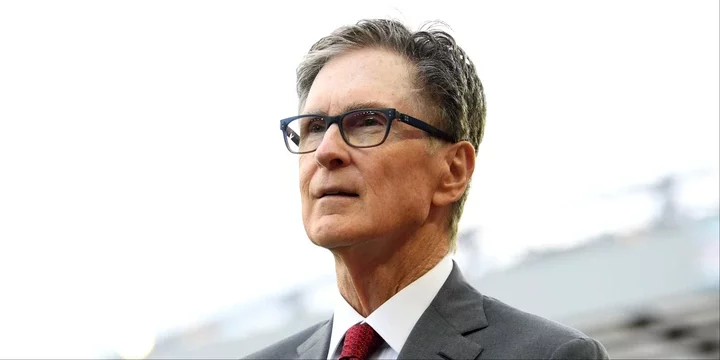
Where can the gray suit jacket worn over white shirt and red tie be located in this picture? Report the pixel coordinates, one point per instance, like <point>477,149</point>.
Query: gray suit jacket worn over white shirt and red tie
<point>461,323</point>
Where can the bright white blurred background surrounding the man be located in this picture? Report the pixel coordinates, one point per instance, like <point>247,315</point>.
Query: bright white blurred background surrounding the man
<point>148,207</point>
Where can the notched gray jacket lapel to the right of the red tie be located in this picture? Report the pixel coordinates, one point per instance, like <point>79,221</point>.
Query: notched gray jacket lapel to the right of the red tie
<point>456,311</point>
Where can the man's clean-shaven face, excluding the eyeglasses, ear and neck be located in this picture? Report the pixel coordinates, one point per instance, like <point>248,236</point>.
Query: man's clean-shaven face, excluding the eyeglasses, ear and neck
<point>352,195</point>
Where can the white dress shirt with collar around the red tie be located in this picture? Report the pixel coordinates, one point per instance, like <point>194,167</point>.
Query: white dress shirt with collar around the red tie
<point>395,318</point>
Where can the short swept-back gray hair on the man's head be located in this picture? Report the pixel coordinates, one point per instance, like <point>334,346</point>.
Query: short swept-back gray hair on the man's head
<point>444,75</point>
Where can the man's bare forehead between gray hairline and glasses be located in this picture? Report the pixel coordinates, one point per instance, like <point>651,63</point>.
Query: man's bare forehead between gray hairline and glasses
<point>365,76</point>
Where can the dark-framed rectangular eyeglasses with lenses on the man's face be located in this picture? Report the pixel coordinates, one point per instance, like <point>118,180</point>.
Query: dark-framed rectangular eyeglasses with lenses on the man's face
<point>361,128</point>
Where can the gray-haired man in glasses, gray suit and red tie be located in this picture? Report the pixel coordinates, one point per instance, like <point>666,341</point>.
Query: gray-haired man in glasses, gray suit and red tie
<point>387,137</point>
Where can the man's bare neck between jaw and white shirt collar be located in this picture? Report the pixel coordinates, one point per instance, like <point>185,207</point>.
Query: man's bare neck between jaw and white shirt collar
<point>370,273</point>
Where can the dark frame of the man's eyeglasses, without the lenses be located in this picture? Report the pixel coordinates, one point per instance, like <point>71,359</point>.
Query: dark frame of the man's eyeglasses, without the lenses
<point>390,114</point>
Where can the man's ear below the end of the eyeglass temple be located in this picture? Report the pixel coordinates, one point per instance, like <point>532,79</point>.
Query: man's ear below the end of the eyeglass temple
<point>456,175</point>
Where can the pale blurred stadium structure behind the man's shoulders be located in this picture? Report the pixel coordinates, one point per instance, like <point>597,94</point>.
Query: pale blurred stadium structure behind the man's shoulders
<point>647,293</point>
